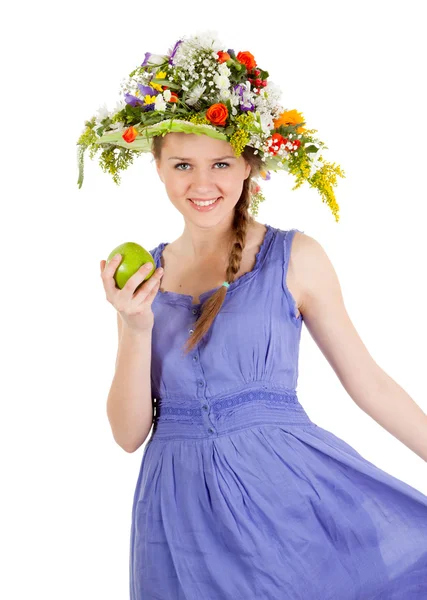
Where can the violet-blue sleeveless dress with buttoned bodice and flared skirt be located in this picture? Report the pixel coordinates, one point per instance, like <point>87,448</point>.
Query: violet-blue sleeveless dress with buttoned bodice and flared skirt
<point>240,496</point>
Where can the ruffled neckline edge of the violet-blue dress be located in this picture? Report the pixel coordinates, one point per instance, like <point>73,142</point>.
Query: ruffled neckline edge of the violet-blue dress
<point>187,299</point>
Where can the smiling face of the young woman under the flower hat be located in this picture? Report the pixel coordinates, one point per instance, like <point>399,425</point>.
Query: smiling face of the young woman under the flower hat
<point>190,169</point>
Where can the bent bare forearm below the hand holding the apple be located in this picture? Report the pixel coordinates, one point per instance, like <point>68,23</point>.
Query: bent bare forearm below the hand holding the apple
<point>129,404</point>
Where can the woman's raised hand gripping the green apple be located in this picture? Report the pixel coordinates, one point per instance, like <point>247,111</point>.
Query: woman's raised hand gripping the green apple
<point>135,309</point>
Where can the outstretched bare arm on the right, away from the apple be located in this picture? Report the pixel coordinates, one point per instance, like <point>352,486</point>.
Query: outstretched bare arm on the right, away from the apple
<point>326,318</point>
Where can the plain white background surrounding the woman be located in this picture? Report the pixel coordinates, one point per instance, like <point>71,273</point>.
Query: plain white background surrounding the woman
<point>356,72</point>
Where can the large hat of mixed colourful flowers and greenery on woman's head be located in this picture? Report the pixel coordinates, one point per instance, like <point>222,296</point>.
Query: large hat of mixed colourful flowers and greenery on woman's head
<point>199,87</point>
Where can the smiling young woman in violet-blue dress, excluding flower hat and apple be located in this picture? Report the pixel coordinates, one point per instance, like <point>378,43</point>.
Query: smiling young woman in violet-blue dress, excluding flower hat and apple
<point>240,494</point>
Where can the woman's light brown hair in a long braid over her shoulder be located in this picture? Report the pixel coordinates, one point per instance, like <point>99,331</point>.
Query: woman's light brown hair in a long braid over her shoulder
<point>242,220</point>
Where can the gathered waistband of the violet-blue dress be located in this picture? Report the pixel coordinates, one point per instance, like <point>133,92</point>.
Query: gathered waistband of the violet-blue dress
<point>222,416</point>
